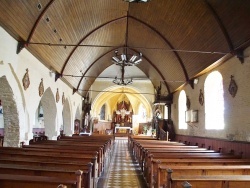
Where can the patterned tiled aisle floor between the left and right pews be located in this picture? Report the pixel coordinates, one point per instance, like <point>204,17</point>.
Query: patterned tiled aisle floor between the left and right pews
<point>124,171</point>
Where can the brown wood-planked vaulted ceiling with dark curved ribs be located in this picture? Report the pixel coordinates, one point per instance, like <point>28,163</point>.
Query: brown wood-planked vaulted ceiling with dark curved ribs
<point>179,39</point>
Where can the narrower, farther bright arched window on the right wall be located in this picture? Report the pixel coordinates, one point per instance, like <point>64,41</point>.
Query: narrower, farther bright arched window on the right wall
<point>182,109</point>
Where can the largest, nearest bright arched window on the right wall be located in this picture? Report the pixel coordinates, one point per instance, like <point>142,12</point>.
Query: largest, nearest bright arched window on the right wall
<point>214,101</point>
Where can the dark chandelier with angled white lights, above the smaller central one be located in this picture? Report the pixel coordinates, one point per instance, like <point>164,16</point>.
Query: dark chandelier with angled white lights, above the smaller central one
<point>126,60</point>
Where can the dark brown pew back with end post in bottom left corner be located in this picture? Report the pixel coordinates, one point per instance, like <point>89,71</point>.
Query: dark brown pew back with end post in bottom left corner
<point>18,181</point>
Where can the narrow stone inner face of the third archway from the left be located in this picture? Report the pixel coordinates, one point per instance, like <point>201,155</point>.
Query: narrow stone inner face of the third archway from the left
<point>67,122</point>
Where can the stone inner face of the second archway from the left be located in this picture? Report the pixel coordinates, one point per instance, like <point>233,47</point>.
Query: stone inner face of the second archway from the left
<point>49,113</point>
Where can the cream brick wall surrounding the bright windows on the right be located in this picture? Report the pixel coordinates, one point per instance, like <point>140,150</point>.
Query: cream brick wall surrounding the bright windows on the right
<point>237,109</point>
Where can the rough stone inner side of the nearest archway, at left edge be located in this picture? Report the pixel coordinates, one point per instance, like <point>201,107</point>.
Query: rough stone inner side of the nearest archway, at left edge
<point>10,114</point>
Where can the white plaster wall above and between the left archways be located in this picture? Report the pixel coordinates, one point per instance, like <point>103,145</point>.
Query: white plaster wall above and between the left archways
<point>13,66</point>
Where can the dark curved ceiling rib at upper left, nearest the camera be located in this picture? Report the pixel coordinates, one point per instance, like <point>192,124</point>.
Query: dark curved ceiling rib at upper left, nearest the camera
<point>22,44</point>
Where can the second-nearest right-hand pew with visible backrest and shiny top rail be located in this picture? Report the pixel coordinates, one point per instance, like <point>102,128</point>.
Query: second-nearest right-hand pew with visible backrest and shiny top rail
<point>165,172</point>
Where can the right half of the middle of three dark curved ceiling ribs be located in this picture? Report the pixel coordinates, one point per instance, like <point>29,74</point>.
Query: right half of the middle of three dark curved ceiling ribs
<point>168,43</point>
